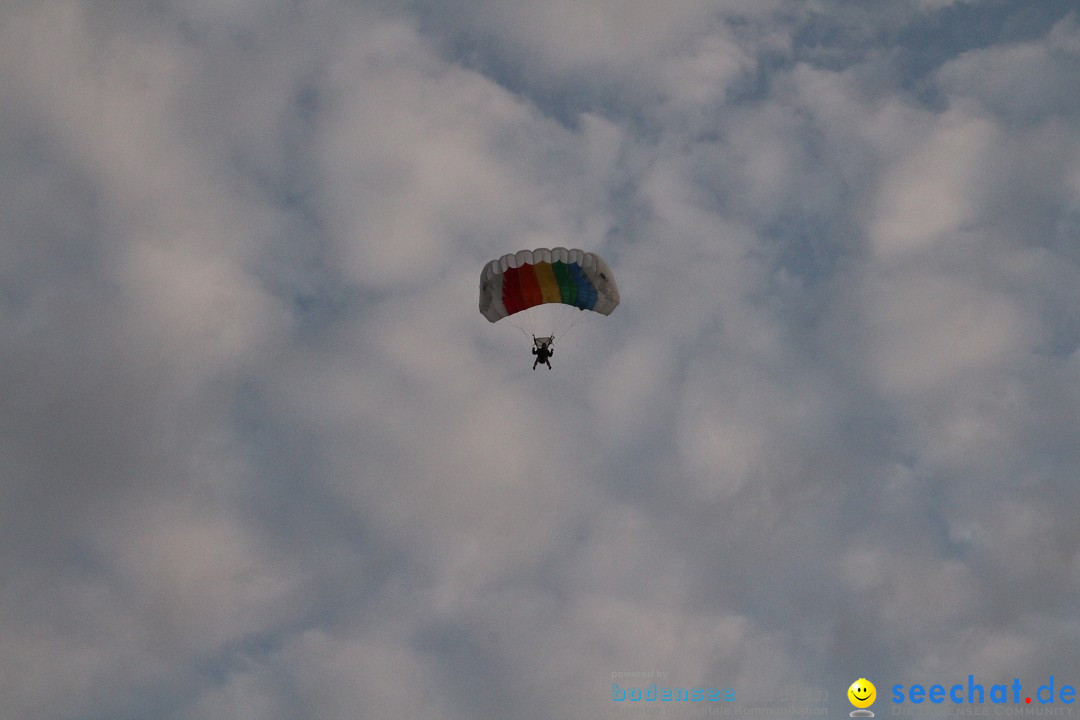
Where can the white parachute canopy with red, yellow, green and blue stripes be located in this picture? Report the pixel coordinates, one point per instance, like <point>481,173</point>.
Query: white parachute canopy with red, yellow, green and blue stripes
<point>528,279</point>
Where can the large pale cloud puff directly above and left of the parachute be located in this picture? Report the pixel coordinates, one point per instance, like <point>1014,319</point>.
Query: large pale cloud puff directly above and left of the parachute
<point>420,157</point>
